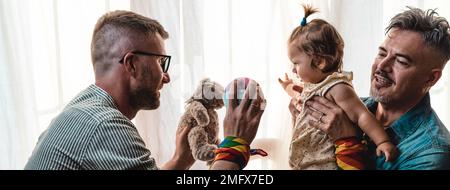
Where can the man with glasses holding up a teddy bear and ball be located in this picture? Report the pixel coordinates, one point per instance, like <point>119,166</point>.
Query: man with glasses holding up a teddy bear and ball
<point>94,130</point>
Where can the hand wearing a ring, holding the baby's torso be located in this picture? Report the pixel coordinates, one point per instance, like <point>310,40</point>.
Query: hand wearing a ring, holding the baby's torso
<point>329,118</point>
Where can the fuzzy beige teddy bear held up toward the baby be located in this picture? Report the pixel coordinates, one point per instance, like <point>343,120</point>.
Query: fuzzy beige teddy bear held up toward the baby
<point>200,114</point>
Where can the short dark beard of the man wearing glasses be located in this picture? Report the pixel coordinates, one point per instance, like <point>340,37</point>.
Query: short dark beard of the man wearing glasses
<point>144,99</point>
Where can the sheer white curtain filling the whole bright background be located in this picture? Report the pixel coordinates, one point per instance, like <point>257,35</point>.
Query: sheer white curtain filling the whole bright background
<point>45,61</point>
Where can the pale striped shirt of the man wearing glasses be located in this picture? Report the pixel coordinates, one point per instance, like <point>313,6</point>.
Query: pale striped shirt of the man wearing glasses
<point>90,133</point>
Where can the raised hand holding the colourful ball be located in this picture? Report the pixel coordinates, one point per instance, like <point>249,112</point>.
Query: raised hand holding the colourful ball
<point>242,120</point>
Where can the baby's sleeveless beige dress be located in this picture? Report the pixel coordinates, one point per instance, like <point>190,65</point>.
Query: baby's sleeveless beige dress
<point>311,149</point>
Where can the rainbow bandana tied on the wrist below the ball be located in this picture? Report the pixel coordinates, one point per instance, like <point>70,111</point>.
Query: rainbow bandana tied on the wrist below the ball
<point>236,150</point>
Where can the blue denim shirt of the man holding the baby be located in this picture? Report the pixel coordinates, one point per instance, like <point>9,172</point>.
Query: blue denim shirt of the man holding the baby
<point>422,139</point>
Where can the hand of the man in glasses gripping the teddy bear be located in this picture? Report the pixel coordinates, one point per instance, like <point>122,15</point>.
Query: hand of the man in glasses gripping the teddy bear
<point>182,158</point>
